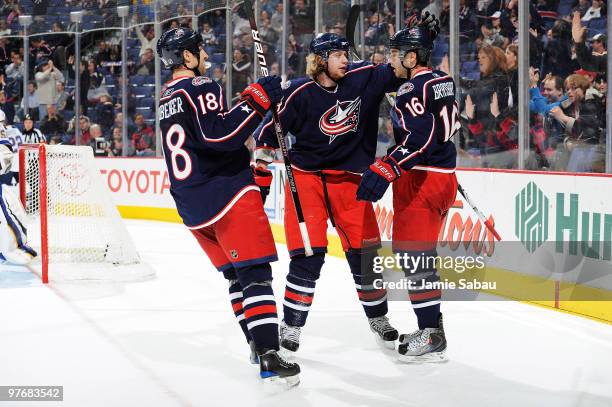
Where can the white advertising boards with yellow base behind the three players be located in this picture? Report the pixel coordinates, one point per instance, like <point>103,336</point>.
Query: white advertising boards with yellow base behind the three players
<point>530,209</point>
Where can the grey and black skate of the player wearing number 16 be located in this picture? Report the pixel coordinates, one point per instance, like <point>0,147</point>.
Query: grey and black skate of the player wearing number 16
<point>424,345</point>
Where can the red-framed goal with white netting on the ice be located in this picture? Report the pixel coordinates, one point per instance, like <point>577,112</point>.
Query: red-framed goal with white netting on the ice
<point>71,220</point>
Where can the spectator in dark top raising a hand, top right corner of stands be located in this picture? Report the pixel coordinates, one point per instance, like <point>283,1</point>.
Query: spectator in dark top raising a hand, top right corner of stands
<point>596,59</point>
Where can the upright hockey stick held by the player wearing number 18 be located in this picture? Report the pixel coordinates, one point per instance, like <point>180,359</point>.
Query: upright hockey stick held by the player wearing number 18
<point>248,8</point>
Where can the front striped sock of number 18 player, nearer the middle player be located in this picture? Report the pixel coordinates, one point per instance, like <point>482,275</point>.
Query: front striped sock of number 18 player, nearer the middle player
<point>260,315</point>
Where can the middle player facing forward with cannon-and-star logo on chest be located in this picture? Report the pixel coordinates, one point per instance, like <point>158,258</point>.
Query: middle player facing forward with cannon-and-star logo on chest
<point>333,114</point>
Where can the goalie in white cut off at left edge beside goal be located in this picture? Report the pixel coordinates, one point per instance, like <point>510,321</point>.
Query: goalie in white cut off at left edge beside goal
<point>13,234</point>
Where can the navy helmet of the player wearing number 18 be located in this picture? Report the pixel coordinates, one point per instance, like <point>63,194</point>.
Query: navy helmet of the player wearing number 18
<point>173,42</point>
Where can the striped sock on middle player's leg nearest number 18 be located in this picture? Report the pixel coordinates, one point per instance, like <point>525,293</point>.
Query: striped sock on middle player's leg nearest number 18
<point>298,299</point>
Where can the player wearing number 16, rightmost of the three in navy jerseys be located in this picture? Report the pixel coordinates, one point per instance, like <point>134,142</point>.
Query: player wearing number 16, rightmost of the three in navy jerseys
<point>421,166</point>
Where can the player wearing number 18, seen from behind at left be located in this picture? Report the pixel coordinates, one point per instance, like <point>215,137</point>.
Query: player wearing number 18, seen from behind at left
<point>214,190</point>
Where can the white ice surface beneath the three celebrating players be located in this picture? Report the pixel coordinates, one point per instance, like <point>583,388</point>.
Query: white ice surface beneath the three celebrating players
<point>173,341</point>
